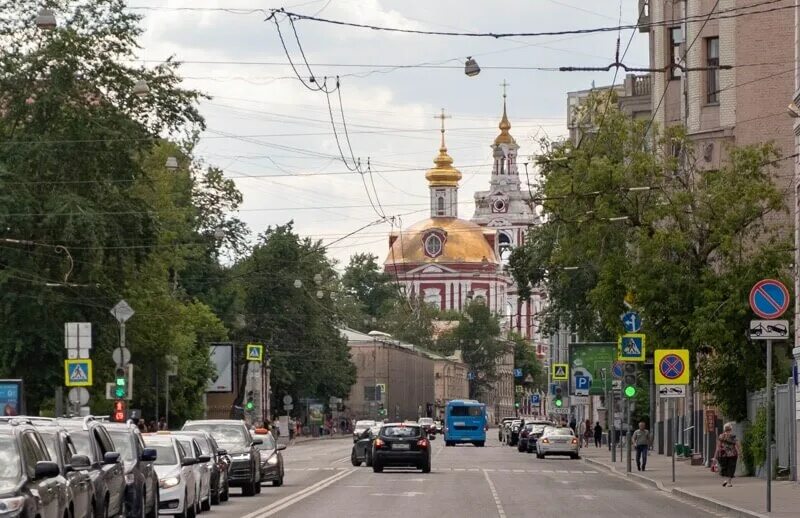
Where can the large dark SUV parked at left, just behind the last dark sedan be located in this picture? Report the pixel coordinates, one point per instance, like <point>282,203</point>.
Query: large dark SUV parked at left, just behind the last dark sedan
<point>235,438</point>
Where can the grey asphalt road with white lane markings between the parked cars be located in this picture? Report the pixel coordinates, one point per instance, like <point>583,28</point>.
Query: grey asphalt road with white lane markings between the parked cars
<point>494,481</point>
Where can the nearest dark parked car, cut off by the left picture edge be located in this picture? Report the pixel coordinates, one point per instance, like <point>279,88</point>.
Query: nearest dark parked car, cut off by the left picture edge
<point>31,484</point>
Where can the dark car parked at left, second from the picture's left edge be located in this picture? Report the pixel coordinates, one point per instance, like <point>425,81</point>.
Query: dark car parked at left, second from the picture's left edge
<point>73,466</point>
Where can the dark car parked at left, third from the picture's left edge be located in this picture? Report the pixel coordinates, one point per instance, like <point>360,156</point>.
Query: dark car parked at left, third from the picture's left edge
<point>106,470</point>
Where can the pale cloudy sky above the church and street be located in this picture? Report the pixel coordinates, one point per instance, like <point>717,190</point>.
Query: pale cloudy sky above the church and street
<point>275,136</point>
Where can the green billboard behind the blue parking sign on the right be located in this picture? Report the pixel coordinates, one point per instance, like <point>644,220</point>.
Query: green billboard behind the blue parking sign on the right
<point>586,361</point>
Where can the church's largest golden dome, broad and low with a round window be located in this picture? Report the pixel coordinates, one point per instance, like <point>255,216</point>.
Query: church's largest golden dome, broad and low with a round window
<point>465,243</point>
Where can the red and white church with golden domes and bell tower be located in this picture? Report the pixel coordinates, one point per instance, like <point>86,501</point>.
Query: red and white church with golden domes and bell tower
<point>448,261</point>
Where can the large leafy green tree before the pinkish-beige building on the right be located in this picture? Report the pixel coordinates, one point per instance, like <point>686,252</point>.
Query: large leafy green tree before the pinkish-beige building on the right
<point>632,211</point>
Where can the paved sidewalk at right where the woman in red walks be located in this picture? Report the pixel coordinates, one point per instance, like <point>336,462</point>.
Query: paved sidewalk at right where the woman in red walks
<point>698,484</point>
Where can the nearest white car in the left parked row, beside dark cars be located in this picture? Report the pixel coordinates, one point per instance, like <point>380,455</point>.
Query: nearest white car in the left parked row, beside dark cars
<point>177,489</point>
